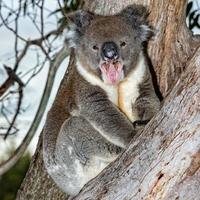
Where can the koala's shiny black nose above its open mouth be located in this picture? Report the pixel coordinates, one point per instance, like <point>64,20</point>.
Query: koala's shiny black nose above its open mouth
<point>109,50</point>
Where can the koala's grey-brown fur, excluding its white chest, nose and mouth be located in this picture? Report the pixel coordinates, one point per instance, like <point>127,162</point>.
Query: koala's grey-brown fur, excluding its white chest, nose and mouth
<point>97,131</point>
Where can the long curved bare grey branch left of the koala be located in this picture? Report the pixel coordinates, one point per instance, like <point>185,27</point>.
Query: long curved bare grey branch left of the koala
<point>54,65</point>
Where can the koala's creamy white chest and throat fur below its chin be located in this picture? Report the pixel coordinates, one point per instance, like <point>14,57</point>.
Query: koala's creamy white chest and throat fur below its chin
<point>125,93</point>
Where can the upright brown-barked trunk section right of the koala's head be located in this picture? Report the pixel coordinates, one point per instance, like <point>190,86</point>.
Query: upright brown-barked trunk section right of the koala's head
<point>178,44</point>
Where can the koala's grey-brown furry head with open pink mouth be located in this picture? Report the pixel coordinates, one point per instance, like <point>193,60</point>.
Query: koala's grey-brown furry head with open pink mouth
<point>109,46</point>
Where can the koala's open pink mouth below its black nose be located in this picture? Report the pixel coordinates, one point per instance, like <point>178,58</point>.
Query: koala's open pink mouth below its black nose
<point>112,71</point>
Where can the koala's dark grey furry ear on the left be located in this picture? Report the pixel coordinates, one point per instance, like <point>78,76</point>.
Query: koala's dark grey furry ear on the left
<point>81,19</point>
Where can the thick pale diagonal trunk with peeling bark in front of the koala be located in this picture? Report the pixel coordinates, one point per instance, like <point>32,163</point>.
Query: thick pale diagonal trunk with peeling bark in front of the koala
<point>148,169</point>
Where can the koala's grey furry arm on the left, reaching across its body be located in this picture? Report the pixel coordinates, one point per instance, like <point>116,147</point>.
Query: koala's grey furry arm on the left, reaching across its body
<point>106,118</point>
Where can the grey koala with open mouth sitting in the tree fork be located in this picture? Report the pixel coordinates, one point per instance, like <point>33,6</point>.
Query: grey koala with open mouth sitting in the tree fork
<point>110,91</point>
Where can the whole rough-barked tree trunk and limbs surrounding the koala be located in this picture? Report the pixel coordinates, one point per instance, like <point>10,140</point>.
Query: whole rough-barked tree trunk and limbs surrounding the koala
<point>163,162</point>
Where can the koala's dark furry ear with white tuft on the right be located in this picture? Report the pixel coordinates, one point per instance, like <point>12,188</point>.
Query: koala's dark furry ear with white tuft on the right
<point>137,16</point>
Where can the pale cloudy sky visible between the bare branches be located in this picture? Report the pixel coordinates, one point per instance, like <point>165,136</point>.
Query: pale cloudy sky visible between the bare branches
<point>34,90</point>
